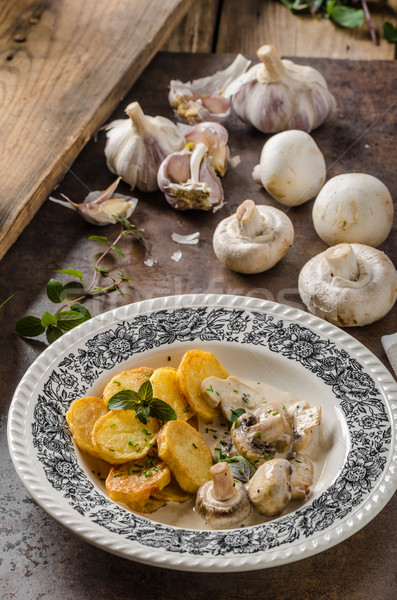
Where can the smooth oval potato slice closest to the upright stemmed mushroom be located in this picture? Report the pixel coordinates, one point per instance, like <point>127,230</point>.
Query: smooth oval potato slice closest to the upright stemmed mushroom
<point>183,449</point>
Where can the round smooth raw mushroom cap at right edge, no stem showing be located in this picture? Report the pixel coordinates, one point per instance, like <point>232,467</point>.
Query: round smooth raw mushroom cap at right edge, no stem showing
<point>354,207</point>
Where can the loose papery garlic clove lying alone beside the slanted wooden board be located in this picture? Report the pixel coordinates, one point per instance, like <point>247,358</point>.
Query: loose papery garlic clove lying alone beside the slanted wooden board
<point>101,208</point>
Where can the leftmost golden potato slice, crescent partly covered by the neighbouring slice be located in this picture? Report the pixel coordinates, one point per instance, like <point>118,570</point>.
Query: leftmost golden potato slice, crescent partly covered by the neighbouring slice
<point>81,418</point>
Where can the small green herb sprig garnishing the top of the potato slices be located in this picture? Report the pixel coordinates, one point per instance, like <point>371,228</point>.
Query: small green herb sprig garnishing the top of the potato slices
<point>143,403</point>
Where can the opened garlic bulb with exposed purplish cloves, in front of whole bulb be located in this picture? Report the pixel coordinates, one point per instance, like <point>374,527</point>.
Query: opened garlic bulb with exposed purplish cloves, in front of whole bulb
<point>188,180</point>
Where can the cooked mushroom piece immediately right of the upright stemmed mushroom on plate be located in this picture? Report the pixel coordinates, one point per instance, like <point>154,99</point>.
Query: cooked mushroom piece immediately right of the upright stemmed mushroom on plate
<point>270,487</point>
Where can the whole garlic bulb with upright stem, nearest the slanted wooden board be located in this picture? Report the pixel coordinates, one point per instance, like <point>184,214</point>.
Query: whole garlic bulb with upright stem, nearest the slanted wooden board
<point>136,147</point>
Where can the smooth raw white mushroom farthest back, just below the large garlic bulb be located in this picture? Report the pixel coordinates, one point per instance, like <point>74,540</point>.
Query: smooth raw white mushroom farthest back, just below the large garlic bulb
<point>292,168</point>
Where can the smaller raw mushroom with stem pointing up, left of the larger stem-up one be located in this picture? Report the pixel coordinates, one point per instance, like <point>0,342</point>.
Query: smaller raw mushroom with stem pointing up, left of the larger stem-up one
<point>254,239</point>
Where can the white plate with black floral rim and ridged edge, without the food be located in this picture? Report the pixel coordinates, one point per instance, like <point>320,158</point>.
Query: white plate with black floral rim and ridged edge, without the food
<point>252,338</point>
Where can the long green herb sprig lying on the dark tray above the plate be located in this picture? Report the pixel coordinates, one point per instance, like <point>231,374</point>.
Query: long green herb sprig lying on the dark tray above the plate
<point>69,296</point>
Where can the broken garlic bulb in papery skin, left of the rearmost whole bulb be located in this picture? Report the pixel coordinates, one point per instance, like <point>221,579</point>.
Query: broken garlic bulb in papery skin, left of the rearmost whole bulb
<point>206,99</point>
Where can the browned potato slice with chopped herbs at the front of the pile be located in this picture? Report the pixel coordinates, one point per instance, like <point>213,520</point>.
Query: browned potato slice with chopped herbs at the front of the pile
<point>136,481</point>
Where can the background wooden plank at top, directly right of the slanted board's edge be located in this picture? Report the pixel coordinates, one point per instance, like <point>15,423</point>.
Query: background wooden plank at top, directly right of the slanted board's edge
<point>197,31</point>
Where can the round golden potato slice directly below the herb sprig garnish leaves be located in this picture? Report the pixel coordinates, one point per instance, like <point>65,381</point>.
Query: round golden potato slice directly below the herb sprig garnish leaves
<point>119,437</point>
